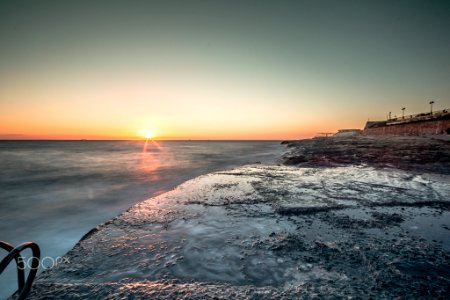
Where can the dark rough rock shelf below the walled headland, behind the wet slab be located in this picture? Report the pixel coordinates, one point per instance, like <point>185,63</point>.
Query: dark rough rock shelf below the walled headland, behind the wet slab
<point>414,153</point>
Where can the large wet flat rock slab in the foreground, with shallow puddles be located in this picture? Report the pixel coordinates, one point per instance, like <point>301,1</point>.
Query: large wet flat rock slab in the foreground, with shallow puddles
<point>265,232</point>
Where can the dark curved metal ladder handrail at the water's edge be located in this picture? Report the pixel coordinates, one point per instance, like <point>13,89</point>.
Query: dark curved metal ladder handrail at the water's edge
<point>14,254</point>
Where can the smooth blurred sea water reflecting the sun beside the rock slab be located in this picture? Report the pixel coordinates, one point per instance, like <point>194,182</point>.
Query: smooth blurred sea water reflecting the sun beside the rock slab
<point>53,192</point>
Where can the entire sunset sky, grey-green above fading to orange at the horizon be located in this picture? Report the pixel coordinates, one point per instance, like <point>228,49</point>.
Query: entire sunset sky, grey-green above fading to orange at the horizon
<point>217,69</point>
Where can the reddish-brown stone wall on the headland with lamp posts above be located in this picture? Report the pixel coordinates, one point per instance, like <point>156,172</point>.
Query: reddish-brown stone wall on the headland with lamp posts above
<point>424,123</point>
